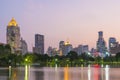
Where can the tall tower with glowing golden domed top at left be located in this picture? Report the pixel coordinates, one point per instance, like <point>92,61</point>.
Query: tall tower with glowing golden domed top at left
<point>13,35</point>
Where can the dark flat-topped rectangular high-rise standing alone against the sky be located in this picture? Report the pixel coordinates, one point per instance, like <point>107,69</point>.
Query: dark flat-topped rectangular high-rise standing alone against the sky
<point>39,44</point>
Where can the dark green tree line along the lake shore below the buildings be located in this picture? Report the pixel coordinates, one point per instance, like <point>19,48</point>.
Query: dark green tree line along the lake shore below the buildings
<point>71,59</point>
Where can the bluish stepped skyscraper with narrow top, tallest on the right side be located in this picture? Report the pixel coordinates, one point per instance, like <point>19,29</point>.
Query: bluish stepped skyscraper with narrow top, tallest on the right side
<point>101,45</point>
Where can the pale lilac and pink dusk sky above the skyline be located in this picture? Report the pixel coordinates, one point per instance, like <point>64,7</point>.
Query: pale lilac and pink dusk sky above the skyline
<point>75,20</point>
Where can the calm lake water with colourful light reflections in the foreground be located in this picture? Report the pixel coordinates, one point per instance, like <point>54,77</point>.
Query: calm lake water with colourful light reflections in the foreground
<point>60,73</point>
